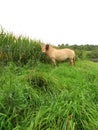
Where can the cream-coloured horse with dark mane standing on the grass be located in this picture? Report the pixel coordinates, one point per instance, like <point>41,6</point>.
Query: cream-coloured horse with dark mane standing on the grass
<point>59,54</point>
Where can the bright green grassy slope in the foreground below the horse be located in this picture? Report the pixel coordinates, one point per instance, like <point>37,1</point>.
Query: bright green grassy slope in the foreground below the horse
<point>48,98</point>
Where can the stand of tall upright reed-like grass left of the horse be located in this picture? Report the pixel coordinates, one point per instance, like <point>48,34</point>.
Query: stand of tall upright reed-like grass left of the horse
<point>18,49</point>
